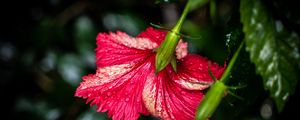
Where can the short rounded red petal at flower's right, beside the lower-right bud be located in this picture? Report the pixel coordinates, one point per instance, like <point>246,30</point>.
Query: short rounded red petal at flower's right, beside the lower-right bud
<point>193,72</point>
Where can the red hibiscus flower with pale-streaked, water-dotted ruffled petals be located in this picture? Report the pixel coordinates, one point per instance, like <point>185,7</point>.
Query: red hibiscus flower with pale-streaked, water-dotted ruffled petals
<point>126,85</point>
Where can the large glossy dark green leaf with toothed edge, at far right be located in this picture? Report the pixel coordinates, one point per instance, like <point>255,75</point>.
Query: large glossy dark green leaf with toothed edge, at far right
<point>273,50</point>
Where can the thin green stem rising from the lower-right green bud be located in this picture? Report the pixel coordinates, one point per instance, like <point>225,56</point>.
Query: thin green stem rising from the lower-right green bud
<point>226,73</point>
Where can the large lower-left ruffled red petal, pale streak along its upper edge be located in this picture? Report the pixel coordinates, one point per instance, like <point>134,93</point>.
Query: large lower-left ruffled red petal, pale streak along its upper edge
<point>117,89</point>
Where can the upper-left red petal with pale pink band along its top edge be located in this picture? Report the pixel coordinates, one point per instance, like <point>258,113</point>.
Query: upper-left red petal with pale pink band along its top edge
<point>119,48</point>
